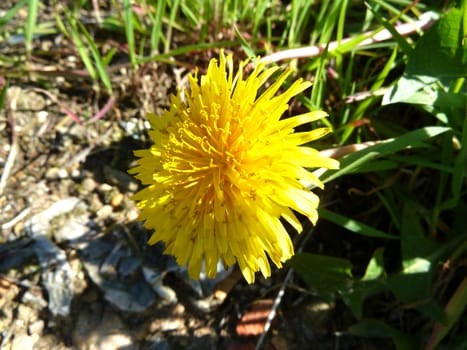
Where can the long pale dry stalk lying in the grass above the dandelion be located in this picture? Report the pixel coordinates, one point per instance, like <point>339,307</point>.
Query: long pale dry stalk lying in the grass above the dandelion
<point>372,37</point>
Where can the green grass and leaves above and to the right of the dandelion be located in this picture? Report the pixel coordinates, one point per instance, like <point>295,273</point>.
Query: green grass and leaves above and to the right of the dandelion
<point>418,129</point>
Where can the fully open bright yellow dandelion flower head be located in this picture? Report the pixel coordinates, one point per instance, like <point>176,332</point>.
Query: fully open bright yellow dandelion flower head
<point>225,168</point>
